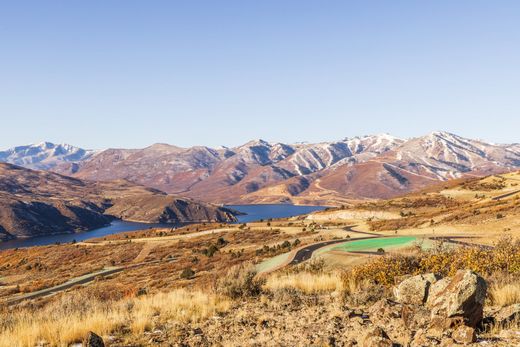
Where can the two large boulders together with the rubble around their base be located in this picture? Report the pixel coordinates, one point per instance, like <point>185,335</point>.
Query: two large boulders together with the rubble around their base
<point>429,310</point>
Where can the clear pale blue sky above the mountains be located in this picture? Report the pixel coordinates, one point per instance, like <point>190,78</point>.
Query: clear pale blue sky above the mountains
<point>131,73</point>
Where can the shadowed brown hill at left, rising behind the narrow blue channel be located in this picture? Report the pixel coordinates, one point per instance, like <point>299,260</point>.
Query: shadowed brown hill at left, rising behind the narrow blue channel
<point>39,203</point>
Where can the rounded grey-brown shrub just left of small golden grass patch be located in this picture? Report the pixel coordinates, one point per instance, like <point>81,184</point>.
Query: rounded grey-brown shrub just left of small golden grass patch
<point>240,282</point>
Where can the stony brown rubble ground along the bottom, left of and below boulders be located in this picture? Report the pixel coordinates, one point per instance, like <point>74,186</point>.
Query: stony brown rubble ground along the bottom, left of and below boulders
<point>291,318</point>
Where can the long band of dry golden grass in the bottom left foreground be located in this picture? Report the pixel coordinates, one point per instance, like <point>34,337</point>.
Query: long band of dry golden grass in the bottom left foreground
<point>69,319</point>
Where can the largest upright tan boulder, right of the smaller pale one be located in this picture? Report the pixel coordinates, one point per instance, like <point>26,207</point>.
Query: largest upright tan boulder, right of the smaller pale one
<point>460,302</point>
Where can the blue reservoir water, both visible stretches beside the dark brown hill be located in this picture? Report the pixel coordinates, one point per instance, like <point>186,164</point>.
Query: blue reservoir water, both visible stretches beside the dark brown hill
<point>253,213</point>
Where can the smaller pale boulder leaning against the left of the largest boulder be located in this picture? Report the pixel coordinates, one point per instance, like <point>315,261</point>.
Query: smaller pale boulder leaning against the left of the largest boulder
<point>414,290</point>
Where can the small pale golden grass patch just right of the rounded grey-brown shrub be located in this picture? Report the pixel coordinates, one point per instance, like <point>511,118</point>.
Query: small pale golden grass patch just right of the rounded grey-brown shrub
<point>306,282</point>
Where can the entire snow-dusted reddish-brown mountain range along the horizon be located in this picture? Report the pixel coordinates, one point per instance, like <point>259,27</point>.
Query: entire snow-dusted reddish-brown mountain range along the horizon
<point>367,167</point>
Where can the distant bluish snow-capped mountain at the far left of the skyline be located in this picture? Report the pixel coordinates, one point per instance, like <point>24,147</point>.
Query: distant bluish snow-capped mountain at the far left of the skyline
<point>44,155</point>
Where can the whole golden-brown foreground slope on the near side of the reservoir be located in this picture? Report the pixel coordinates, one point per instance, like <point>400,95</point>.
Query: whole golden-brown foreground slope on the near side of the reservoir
<point>225,284</point>
